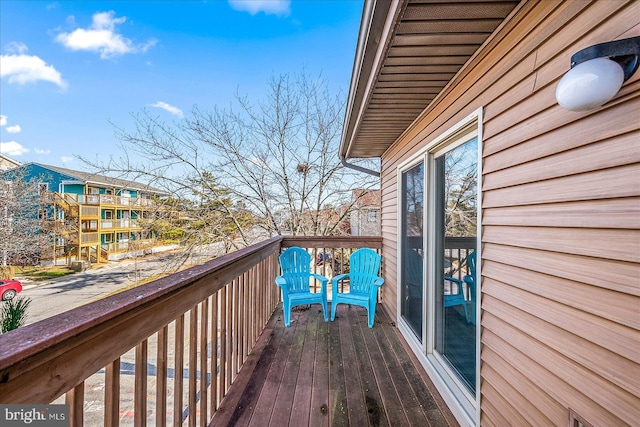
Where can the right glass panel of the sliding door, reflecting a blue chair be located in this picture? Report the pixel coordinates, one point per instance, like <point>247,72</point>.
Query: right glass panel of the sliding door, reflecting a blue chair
<point>456,174</point>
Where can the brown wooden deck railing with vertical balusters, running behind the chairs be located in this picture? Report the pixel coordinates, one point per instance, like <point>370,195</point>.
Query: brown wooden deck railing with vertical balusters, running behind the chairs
<point>165,352</point>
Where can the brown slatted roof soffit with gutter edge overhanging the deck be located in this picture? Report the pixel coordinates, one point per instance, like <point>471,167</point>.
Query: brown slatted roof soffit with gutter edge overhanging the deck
<point>426,44</point>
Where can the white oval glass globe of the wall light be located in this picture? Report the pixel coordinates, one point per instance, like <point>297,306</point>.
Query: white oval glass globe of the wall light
<point>590,84</point>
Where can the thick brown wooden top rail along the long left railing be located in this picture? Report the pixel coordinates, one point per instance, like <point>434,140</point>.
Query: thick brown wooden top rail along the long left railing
<point>94,330</point>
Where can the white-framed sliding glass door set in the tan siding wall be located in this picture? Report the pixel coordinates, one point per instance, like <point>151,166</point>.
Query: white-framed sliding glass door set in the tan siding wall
<point>438,237</point>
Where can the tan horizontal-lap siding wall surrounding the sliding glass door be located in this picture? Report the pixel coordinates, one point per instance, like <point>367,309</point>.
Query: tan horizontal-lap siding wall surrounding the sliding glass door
<point>560,250</point>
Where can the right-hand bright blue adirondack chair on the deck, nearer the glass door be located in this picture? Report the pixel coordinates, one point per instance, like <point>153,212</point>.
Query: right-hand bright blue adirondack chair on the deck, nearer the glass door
<point>364,283</point>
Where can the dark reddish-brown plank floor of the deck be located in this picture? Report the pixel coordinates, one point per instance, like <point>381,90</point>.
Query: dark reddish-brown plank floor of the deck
<point>332,374</point>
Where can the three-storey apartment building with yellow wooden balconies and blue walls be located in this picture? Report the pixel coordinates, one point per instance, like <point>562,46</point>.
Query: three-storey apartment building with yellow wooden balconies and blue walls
<point>94,217</point>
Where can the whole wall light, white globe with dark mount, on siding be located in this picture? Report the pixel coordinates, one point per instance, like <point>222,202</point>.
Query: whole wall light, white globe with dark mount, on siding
<point>597,73</point>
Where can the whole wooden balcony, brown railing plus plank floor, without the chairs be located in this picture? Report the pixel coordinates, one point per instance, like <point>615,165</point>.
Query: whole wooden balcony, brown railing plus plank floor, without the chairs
<point>207,346</point>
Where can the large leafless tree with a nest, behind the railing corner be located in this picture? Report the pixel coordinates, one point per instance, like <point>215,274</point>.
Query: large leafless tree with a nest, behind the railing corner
<point>250,171</point>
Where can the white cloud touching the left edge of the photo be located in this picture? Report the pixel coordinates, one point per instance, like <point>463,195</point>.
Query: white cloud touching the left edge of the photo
<point>22,69</point>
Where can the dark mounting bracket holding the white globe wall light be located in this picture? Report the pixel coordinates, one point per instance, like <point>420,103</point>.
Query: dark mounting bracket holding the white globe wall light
<point>625,52</point>
